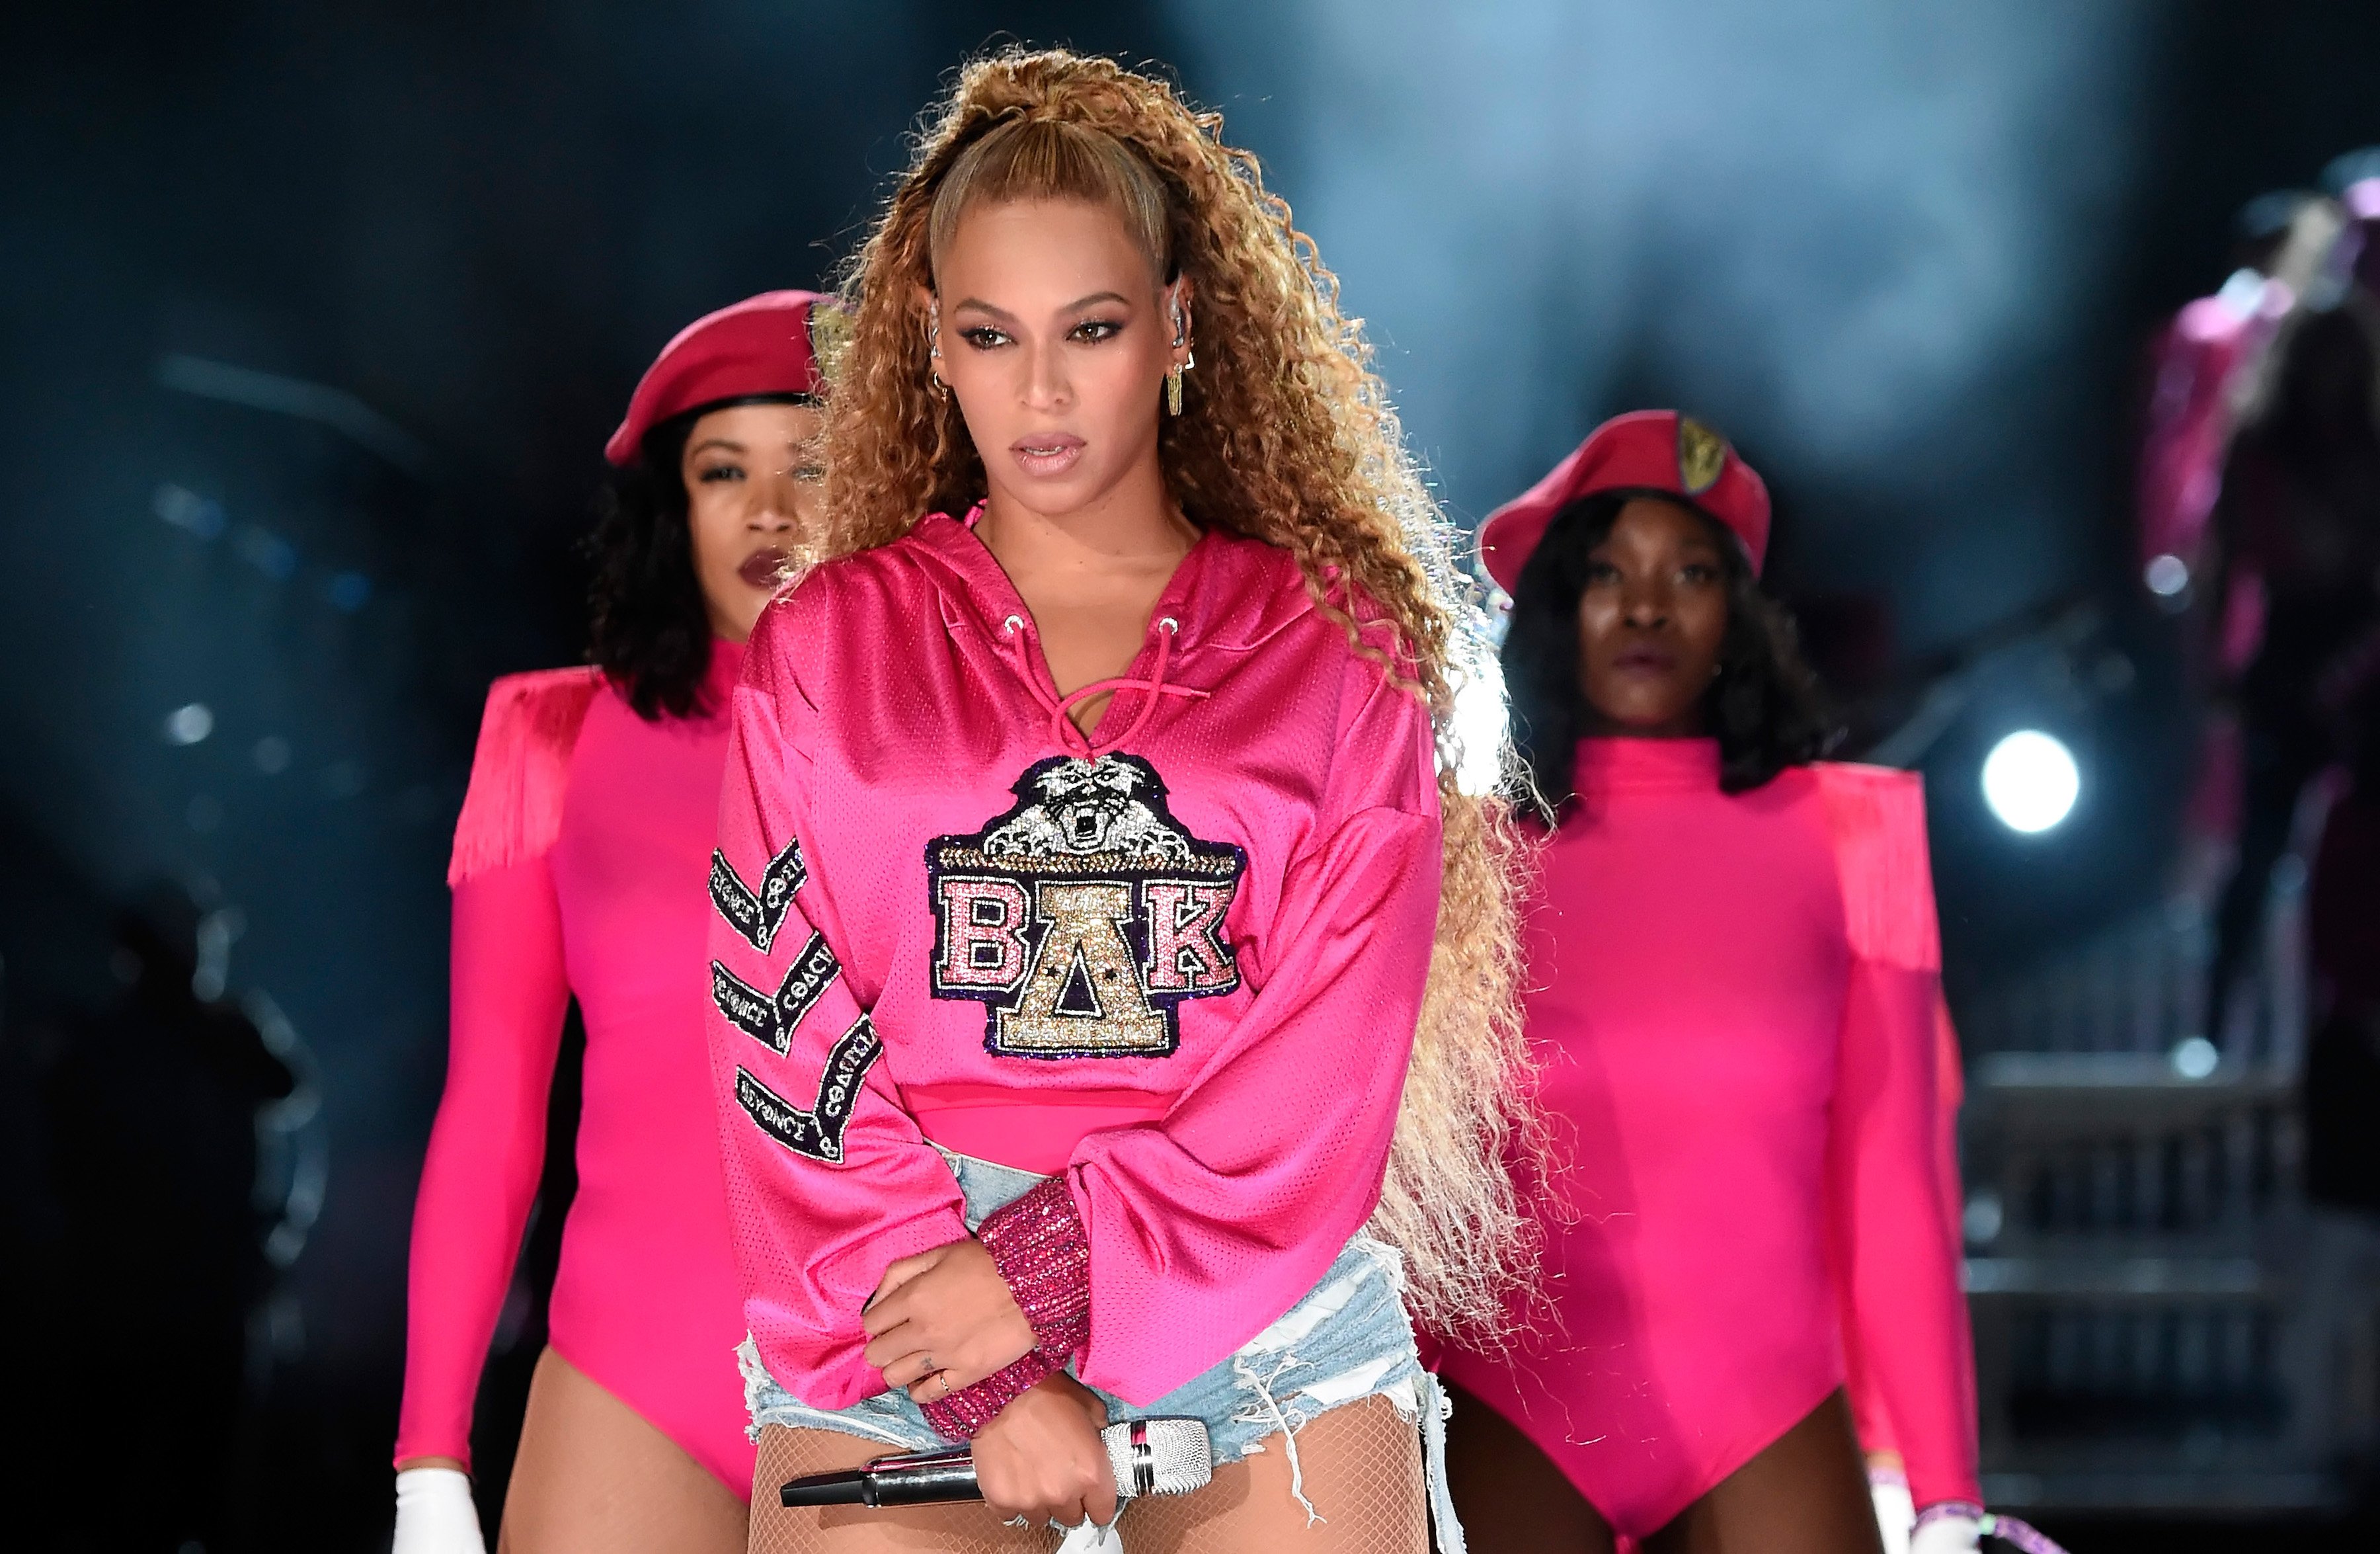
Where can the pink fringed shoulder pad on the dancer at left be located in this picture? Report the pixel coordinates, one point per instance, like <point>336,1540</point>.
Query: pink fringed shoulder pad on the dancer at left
<point>520,770</point>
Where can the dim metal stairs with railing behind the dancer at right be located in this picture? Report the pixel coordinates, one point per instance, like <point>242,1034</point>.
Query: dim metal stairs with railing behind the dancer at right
<point>2162,1322</point>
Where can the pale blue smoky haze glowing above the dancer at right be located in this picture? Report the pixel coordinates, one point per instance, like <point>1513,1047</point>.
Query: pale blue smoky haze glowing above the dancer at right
<point>1860,237</point>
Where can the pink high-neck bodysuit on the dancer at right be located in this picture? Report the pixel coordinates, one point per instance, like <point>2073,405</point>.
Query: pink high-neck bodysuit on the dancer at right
<point>1736,1003</point>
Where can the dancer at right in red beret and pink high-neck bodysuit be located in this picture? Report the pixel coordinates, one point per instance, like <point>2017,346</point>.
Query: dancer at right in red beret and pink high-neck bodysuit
<point>1736,1005</point>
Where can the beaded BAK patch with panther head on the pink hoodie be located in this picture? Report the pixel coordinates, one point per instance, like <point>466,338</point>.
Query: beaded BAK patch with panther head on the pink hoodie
<point>1084,915</point>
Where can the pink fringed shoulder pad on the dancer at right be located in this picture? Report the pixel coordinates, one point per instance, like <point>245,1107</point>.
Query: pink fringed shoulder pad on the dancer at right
<point>1879,825</point>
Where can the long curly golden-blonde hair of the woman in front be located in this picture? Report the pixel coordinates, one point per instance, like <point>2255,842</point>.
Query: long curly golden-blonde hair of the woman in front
<point>1286,437</point>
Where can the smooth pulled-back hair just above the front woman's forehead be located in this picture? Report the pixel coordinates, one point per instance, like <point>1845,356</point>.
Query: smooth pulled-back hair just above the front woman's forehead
<point>1051,161</point>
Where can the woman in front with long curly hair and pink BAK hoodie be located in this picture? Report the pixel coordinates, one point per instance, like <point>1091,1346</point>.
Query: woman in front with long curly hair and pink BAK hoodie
<point>1091,894</point>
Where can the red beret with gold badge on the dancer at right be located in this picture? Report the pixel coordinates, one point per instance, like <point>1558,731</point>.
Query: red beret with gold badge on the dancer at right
<point>1655,451</point>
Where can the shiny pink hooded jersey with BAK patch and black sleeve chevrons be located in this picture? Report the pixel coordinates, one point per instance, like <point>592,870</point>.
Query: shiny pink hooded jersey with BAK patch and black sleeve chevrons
<point>1177,965</point>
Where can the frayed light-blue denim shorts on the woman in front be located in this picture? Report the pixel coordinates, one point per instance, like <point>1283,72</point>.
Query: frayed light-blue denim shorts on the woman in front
<point>1344,1343</point>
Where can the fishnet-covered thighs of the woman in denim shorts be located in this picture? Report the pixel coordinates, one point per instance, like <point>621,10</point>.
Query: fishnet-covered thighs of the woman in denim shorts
<point>1360,1467</point>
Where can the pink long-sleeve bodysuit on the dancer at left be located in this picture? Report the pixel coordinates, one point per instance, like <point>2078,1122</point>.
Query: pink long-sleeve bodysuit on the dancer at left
<point>580,867</point>
